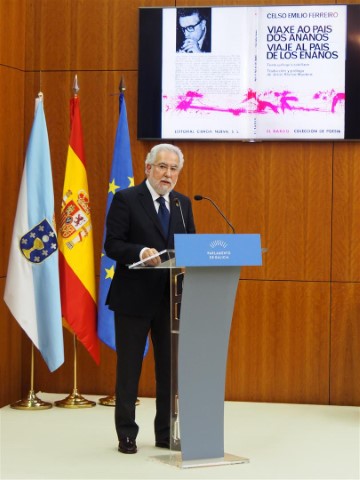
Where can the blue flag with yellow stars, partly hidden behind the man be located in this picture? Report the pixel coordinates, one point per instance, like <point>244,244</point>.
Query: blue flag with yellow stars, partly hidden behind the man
<point>121,177</point>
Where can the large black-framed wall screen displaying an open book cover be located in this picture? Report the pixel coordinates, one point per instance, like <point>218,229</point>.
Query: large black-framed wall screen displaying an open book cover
<point>249,73</point>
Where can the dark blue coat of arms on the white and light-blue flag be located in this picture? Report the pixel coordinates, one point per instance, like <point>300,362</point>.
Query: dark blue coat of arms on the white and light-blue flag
<point>39,242</point>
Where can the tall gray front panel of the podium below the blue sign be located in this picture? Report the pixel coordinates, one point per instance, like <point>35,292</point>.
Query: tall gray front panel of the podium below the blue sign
<point>206,313</point>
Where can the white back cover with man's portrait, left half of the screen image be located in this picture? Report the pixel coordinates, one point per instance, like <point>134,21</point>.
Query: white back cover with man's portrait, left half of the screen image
<point>202,92</point>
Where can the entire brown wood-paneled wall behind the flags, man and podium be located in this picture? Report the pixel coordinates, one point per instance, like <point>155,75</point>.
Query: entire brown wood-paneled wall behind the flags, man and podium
<point>296,328</point>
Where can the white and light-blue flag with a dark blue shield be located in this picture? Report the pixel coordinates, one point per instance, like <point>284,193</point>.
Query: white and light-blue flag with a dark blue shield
<point>32,290</point>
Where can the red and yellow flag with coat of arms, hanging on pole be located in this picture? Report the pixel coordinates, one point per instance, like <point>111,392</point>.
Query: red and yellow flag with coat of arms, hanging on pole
<point>77,272</point>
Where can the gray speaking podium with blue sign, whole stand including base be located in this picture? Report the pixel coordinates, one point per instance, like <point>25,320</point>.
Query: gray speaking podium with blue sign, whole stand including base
<point>204,273</point>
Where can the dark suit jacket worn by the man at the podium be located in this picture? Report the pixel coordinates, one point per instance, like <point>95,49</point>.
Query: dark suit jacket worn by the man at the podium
<point>132,224</point>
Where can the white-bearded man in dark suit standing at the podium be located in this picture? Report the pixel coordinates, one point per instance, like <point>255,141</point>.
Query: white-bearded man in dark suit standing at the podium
<point>140,298</point>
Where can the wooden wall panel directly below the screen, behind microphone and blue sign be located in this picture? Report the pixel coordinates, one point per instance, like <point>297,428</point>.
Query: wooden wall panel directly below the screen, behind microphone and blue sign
<point>272,189</point>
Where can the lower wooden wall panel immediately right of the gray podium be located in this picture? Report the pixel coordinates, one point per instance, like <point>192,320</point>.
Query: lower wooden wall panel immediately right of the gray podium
<point>279,345</point>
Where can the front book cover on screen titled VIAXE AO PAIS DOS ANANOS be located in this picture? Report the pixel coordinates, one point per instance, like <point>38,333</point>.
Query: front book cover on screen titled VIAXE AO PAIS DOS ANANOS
<point>301,72</point>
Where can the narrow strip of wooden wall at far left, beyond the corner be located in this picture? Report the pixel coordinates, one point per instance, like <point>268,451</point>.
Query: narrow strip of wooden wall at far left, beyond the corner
<point>12,55</point>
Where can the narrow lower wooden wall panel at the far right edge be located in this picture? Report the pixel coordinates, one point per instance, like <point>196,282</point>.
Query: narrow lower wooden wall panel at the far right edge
<point>345,345</point>
